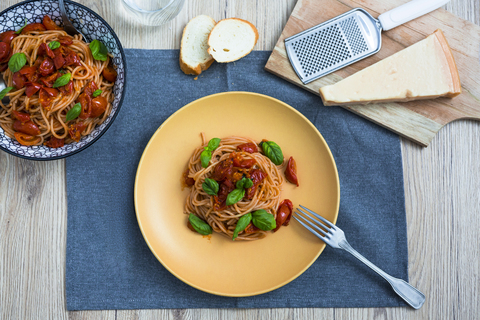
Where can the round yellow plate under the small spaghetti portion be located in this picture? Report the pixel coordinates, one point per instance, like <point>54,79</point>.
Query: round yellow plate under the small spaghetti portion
<point>216,264</point>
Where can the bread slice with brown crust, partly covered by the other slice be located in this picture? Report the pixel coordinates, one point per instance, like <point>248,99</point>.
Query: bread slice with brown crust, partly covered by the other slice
<point>194,57</point>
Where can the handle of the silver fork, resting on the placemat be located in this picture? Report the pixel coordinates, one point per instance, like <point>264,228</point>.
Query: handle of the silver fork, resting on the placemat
<point>407,292</point>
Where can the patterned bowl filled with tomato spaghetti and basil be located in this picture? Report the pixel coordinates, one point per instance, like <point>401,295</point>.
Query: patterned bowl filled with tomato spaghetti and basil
<point>48,108</point>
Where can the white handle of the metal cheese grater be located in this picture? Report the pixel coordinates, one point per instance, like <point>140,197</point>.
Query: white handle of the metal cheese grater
<point>408,11</point>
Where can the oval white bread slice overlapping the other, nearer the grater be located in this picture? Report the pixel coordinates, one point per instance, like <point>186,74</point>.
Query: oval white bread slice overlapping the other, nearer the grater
<point>232,39</point>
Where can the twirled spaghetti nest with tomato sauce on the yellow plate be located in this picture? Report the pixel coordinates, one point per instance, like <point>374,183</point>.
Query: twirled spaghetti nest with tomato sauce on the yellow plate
<point>223,218</point>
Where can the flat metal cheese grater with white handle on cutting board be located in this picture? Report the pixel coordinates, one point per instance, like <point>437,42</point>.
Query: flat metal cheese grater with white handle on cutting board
<point>347,38</point>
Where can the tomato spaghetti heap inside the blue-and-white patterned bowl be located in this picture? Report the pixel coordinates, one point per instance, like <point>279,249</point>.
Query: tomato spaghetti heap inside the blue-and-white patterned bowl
<point>49,105</point>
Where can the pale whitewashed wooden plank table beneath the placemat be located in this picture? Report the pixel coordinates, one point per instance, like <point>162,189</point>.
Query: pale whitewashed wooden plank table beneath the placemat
<point>442,194</point>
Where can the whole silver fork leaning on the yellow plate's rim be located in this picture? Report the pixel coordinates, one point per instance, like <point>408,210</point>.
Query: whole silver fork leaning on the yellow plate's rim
<point>334,237</point>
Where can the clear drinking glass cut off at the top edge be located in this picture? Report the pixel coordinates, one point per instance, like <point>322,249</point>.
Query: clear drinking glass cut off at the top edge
<point>153,12</point>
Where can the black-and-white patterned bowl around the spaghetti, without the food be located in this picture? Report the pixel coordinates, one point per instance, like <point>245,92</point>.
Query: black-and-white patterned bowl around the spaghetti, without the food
<point>93,27</point>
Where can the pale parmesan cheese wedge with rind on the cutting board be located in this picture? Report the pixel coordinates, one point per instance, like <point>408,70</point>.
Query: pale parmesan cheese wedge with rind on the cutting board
<point>425,70</point>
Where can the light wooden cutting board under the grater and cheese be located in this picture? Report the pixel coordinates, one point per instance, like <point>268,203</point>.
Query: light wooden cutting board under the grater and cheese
<point>416,120</point>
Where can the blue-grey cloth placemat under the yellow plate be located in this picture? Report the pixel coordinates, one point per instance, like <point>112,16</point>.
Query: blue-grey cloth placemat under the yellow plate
<point>109,265</point>
